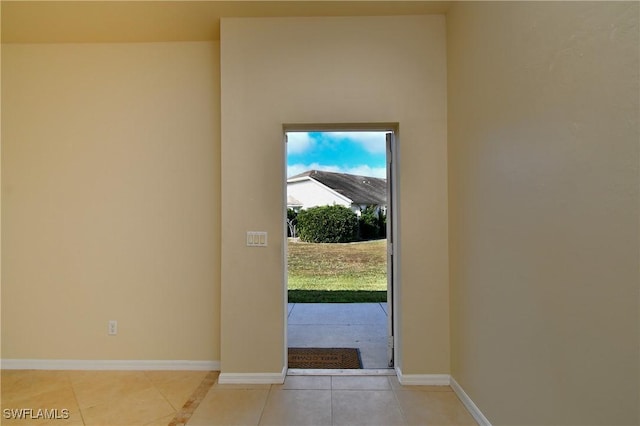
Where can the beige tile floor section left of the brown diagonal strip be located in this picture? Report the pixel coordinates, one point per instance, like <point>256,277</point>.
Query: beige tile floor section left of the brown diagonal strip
<point>96,397</point>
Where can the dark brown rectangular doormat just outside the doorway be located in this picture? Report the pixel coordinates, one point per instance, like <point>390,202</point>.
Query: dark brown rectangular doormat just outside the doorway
<point>324,358</point>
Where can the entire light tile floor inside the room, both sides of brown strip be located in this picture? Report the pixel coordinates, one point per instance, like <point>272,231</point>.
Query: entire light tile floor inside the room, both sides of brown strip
<point>156,397</point>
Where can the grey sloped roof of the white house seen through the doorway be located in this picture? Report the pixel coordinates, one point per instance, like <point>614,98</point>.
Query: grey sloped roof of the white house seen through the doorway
<point>360,189</point>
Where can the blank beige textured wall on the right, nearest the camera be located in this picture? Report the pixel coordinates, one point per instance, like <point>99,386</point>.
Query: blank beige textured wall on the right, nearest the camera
<point>543,157</point>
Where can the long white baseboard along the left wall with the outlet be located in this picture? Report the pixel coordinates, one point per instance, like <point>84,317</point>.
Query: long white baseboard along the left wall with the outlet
<point>80,364</point>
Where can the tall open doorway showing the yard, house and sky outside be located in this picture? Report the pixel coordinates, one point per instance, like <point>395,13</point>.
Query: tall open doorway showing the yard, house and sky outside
<point>340,235</point>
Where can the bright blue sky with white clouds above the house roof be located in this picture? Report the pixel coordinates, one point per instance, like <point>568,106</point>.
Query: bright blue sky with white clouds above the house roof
<point>361,153</point>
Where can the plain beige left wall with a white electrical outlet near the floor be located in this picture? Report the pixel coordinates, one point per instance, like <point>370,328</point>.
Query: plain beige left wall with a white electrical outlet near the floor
<point>110,201</point>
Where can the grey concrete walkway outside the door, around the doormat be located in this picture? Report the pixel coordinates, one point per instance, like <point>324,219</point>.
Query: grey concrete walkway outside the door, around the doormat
<point>344,325</point>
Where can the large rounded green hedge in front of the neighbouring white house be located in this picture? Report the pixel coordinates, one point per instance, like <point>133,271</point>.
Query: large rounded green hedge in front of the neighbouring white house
<point>328,224</point>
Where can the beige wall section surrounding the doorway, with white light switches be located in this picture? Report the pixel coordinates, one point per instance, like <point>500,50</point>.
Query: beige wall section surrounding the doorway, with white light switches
<point>331,70</point>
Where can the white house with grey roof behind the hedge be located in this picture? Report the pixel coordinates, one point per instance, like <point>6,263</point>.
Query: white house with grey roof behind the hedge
<point>318,188</point>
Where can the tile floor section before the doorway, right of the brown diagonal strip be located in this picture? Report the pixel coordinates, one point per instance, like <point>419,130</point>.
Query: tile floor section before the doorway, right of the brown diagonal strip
<point>331,400</point>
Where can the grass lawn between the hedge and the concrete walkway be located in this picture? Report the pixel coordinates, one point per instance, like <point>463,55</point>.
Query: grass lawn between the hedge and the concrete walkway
<point>352,272</point>
